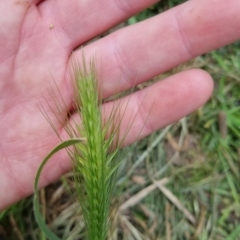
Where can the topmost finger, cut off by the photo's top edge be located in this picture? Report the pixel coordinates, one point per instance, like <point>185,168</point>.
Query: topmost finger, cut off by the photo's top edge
<point>82,20</point>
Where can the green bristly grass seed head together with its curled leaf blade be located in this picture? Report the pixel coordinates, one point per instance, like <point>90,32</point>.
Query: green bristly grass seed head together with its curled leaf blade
<point>95,144</point>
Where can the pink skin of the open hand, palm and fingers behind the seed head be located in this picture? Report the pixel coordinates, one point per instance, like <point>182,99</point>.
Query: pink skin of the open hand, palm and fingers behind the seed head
<point>37,39</point>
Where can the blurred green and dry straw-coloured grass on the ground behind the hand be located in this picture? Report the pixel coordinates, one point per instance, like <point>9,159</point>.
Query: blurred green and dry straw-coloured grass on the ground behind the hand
<point>180,183</point>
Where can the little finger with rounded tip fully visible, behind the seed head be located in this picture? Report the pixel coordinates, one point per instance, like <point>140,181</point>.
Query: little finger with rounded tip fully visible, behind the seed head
<point>161,104</point>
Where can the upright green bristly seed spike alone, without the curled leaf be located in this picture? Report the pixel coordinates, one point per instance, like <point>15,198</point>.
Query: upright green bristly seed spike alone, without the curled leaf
<point>92,158</point>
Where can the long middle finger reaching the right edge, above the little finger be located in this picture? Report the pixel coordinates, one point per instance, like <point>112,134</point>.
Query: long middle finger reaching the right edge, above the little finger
<point>142,51</point>
